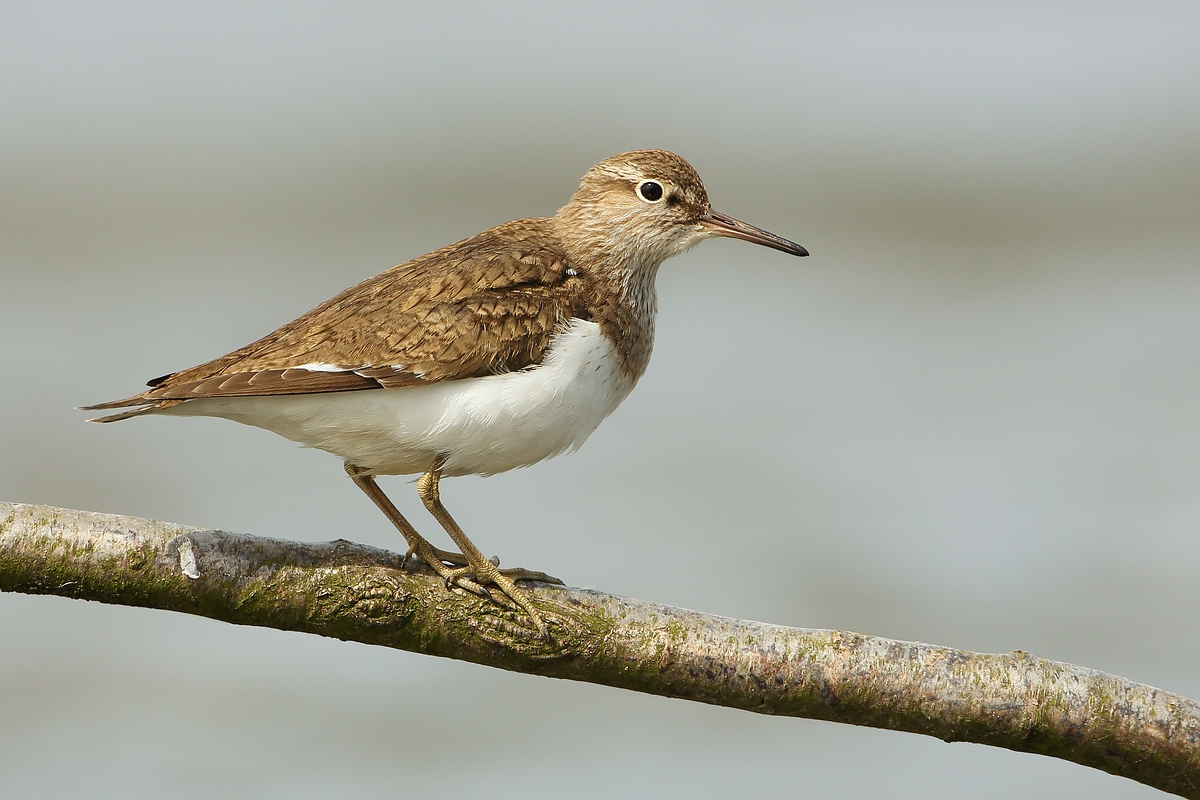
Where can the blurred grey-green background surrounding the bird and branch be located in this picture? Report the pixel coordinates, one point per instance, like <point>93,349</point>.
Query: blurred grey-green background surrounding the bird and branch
<point>971,418</point>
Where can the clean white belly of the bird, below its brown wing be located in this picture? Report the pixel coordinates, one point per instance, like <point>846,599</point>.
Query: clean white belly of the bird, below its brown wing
<point>485,425</point>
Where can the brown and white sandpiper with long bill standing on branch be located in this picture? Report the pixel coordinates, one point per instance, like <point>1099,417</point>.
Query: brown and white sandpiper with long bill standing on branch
<point>494,353</point>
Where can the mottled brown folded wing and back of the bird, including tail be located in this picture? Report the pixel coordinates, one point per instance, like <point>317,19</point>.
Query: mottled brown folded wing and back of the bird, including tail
<point>489,304</point>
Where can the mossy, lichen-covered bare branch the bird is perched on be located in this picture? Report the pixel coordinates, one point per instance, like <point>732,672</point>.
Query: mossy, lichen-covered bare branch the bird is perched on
<point>353,592</point>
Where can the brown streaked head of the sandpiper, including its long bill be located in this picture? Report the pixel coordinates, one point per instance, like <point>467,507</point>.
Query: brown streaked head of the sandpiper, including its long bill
<point>640,208</point>
